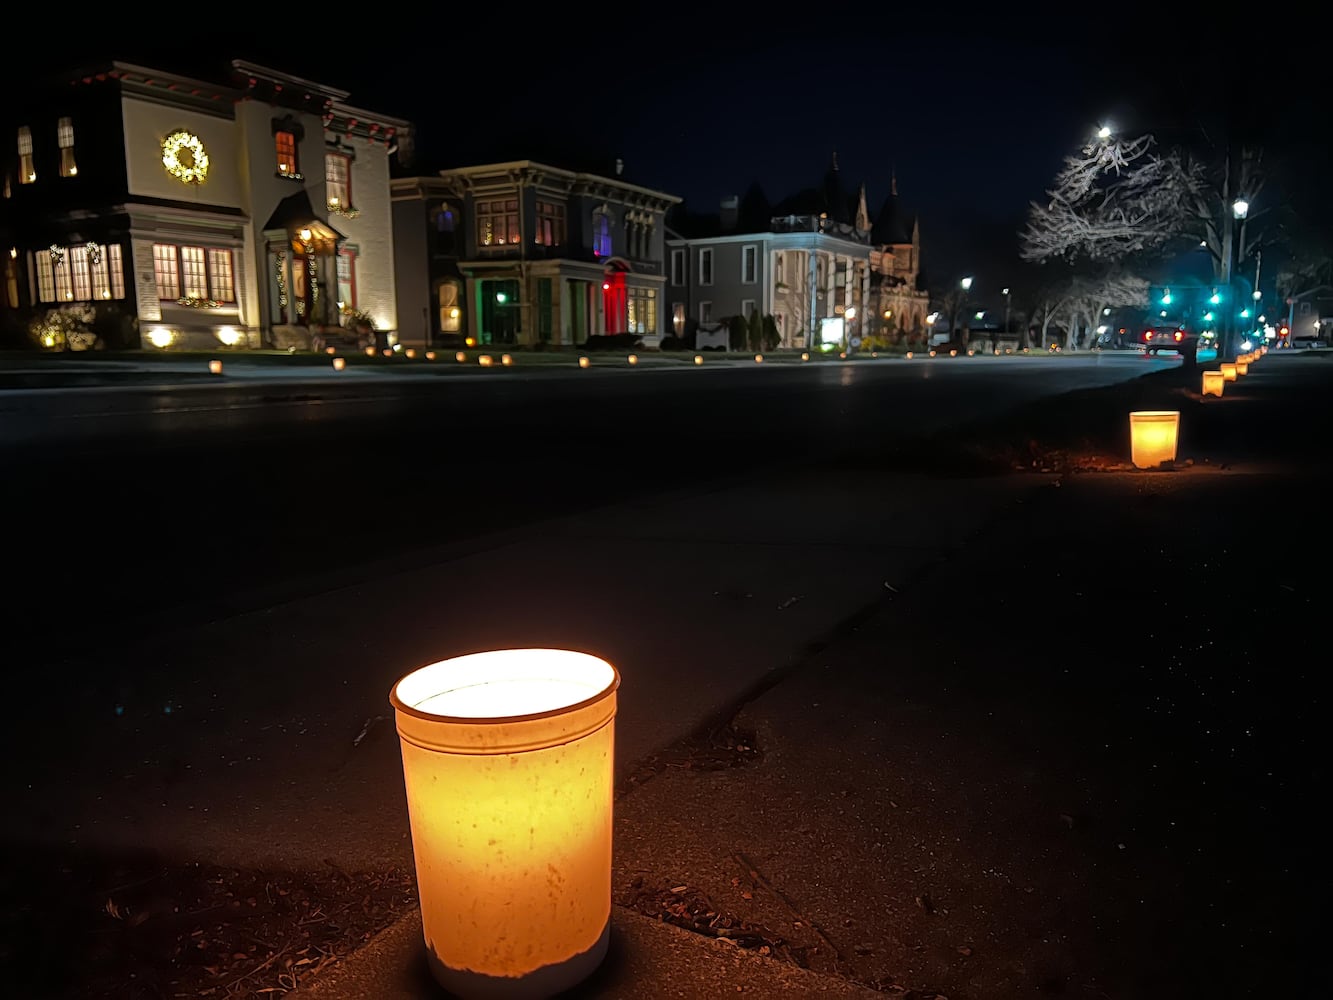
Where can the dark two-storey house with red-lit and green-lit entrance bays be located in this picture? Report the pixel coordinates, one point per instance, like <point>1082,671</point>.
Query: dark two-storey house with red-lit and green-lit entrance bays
<point>527,254</point>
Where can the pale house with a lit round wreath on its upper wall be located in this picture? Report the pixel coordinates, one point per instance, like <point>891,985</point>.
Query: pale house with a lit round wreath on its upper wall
<point>161,211</point>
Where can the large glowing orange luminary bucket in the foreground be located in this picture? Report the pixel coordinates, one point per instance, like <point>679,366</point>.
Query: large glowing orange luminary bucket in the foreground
<point>507,761</point>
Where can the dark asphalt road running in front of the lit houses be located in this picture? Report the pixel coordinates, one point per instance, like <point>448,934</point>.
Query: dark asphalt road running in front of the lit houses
<point>127,506</point>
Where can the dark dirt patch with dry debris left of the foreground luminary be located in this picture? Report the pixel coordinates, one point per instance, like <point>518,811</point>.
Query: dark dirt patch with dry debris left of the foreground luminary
<point>138,929</point>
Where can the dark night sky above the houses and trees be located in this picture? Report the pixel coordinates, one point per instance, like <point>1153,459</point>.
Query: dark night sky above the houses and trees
<point>972,110</point>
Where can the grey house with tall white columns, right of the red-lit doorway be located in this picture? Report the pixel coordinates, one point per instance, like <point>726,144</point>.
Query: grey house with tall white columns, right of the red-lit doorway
<point>810,265</point>
